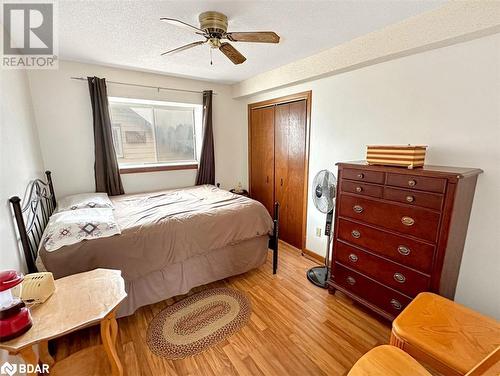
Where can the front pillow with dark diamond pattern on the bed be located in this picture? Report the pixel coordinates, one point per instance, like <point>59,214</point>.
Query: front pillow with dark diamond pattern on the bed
<point>74,226</point>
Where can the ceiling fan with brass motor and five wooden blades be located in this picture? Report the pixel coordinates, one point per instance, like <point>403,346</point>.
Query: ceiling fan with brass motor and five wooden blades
<point>213,27</point>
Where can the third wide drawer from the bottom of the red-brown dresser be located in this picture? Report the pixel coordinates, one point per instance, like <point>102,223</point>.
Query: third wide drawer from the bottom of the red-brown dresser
<point>414,254</point>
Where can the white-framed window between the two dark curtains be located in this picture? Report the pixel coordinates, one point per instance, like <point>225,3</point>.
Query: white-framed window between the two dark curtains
<point>155,134</point>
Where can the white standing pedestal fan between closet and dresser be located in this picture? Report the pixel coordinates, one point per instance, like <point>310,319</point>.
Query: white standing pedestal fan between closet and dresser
<point>323,192</point>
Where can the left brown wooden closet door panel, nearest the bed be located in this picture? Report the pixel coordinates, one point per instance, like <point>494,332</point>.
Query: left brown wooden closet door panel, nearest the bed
<point>262,156</point>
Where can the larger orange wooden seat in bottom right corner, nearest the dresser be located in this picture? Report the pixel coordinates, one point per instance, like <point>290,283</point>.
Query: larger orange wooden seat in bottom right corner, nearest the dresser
<point>445,335</point>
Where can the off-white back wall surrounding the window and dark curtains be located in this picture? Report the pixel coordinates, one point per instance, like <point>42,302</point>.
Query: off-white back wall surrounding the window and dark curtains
<point>64,118</point>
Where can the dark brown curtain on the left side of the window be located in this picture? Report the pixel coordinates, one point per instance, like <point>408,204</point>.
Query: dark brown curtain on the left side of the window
<point>106,170</point>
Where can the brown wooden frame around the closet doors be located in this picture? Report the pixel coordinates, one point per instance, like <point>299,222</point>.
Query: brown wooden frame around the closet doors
<point>307,96</point>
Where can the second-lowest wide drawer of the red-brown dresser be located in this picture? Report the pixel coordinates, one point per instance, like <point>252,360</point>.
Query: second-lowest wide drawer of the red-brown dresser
<point>400,278</point>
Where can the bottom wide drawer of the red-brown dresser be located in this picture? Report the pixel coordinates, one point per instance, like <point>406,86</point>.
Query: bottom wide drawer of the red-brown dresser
<point>383,297</point>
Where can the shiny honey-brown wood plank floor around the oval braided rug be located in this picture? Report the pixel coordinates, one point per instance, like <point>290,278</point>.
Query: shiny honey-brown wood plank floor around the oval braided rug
<point>295,329</point>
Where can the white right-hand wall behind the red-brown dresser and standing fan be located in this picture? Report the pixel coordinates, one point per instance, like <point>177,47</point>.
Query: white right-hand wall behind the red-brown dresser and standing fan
<point>447,98</point>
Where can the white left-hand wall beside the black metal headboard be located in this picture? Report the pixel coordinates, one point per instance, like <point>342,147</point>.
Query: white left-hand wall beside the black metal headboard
<point>20,158</point>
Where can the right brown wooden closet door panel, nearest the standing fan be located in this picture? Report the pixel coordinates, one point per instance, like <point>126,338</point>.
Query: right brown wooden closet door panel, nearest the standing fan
<point>290,149</point>
